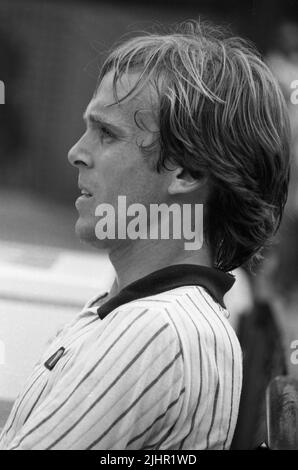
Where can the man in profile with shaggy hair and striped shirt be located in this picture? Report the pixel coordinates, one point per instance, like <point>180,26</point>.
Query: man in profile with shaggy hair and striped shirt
<point>190,117</point>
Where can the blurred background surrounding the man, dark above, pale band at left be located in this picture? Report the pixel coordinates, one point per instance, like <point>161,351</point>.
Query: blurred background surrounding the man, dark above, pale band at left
<point>50,53</point>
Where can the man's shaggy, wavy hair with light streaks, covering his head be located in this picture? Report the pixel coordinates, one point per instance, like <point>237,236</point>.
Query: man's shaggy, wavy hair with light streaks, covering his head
<point>222,115</point>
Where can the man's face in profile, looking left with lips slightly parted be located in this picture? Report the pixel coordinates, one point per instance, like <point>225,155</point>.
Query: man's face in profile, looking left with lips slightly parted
<point>109,158</point>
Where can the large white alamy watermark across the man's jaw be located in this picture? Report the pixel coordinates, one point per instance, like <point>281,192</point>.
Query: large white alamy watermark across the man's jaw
<point>159,222</point>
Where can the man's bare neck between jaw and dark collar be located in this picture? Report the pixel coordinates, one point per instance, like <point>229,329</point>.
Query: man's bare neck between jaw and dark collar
<point>142,257</point>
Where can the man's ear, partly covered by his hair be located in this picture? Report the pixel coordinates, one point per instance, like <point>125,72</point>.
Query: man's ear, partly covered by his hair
<point>182,182</point>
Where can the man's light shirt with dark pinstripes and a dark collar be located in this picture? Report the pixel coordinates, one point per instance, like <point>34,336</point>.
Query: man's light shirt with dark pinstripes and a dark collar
<point>158,371</point>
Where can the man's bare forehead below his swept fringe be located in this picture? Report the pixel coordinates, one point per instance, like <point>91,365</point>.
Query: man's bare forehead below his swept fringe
<point>103,101</point>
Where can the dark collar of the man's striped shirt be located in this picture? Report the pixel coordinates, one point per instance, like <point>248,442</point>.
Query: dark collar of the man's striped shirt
<point>216,282</point>
